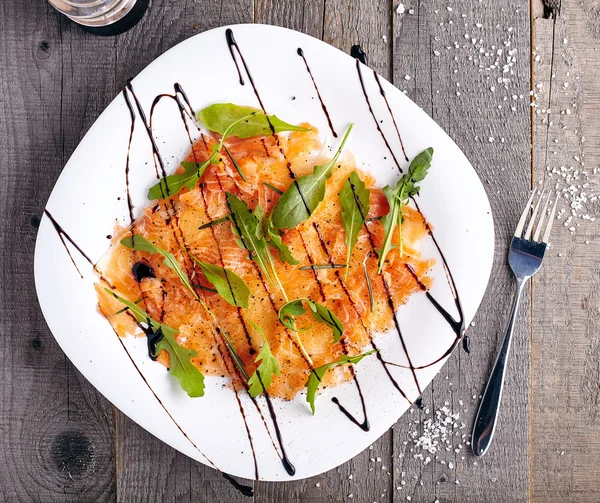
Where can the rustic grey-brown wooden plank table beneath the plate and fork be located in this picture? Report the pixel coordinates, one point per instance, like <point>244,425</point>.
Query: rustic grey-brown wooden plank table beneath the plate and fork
<point>61,441</point>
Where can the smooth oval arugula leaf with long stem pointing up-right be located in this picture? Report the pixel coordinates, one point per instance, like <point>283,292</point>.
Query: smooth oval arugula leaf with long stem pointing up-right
<point>303,196</point>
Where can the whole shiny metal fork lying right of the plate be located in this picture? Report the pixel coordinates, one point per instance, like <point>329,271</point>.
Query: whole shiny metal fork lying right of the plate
<point>525,258</point>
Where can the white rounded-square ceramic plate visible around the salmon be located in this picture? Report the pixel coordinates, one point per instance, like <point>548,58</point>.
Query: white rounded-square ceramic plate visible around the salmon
<point>85,203</point>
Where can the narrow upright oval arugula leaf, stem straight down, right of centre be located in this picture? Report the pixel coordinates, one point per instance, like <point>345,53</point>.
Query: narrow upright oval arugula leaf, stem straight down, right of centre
<point>355,202</point>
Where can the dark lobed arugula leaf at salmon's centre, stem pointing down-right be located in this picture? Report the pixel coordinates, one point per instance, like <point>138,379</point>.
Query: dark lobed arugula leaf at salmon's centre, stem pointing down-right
<point>248,226</point>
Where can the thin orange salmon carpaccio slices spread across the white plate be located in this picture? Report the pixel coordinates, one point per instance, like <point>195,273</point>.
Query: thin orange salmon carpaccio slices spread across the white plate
<point>174,225</point>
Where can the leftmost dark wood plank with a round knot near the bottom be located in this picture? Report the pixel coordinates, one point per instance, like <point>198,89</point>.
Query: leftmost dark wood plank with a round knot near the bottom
<point>57,431</point>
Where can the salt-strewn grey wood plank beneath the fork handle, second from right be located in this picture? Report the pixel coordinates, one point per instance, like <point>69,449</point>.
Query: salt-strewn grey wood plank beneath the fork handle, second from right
<point>449,76</point>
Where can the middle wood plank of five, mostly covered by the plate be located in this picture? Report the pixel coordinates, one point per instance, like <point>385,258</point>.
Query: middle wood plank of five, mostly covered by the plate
<point>344,24</point>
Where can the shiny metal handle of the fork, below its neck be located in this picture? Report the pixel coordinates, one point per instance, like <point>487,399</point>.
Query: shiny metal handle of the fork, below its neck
<point>485,422</point>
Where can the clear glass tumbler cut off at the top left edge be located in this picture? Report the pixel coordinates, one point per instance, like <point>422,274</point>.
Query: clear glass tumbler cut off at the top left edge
<point>103,17</point>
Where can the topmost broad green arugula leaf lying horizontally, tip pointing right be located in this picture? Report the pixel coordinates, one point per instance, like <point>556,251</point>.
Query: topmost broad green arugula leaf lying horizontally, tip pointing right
<point>220,116</point>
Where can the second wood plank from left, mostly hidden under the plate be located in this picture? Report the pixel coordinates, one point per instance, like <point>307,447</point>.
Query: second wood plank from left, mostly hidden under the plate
<point>147,469</point>
